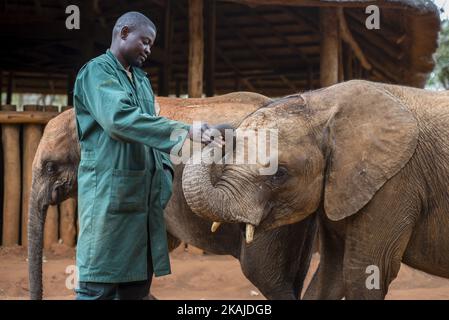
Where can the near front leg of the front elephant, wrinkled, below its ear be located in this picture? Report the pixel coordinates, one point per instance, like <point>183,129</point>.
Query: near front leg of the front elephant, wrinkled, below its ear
<point>376,239</point>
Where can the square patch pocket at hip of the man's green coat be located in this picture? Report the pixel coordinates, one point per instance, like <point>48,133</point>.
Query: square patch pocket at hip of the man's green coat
<point>128,191</point>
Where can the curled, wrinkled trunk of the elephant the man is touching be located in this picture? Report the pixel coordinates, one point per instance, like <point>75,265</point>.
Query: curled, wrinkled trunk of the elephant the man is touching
<point>229,200</point>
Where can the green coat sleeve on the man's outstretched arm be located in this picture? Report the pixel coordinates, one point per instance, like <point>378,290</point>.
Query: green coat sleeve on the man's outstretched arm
<point>110,105</point>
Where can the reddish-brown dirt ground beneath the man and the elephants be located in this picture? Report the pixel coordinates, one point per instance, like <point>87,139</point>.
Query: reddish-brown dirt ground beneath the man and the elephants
<point>194,276</point>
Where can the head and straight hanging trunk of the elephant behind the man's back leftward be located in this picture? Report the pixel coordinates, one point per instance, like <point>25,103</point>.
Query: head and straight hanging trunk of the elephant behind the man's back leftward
<point>55,167</point>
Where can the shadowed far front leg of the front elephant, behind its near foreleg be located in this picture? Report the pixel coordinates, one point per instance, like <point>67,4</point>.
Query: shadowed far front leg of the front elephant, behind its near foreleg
<point>327,282</point>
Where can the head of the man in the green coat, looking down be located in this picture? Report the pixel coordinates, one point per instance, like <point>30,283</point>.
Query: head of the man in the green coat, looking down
<point>132,38</point>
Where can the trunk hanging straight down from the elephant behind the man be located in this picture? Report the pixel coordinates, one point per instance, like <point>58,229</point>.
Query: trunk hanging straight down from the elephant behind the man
<point>36,219</point>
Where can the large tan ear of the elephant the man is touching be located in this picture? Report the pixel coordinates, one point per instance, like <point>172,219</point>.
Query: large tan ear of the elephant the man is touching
<point>371,136</point>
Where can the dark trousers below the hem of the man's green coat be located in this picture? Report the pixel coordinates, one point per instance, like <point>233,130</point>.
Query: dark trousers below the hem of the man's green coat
<point>135,290</point>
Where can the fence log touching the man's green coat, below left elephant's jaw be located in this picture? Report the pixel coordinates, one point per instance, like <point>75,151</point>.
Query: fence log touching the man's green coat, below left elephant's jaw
<point>67,212</point>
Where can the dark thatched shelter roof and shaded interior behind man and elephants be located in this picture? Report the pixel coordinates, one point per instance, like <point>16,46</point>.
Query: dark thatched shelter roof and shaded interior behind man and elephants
<point>268,46</point>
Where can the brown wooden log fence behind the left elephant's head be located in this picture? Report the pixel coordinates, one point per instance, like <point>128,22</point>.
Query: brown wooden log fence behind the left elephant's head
<point>21,133</point>
